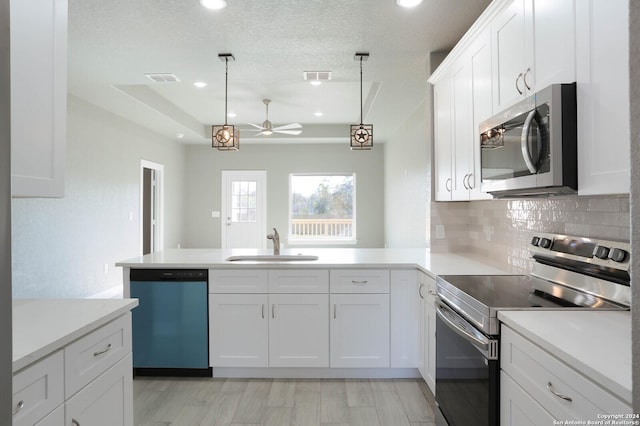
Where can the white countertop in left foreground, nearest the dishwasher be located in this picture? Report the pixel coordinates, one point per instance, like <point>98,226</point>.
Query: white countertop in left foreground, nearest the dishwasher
<point>42,326</point>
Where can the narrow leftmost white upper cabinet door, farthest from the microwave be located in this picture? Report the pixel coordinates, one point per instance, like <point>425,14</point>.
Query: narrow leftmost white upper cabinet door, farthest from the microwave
<point>443,139</point>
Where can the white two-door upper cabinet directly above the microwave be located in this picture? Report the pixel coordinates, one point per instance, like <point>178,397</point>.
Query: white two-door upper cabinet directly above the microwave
<point>533,46</point>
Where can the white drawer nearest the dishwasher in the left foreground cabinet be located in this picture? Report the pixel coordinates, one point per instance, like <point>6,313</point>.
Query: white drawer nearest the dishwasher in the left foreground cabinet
<point>91,355</point>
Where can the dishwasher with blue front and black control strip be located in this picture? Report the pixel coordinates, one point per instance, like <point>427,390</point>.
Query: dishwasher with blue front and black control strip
<point>171,323</point>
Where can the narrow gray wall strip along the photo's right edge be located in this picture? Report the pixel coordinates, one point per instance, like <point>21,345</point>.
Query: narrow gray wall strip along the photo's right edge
<point>634,84</point>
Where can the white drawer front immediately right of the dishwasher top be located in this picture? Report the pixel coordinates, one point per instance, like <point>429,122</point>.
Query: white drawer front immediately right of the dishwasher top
<point>238,281</point>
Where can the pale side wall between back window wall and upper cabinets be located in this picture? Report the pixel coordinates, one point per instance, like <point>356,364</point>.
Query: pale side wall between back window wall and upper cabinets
<point>407,174</point>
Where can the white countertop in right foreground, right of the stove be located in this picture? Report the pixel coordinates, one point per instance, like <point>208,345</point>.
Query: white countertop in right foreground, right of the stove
<point>596,343</point>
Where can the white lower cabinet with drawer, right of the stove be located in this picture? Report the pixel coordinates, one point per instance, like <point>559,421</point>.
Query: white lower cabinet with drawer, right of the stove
<point>542,380</point>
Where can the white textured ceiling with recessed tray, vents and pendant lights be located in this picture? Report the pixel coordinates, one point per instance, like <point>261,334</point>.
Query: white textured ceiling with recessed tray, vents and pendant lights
<point>113,44</point>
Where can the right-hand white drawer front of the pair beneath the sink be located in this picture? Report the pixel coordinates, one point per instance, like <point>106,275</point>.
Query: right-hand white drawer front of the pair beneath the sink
<point>299,281</point>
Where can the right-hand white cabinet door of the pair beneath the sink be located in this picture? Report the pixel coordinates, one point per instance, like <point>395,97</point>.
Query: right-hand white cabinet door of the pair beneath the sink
<point>299,330</point>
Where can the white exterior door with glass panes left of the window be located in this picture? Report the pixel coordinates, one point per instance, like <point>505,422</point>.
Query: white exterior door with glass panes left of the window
<point>244,209</point>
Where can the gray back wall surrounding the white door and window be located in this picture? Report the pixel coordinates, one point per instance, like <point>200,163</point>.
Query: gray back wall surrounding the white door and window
<point>203,187</point>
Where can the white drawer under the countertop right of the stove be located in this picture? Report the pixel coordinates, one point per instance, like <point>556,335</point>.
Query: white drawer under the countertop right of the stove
<point>540,375</point>
